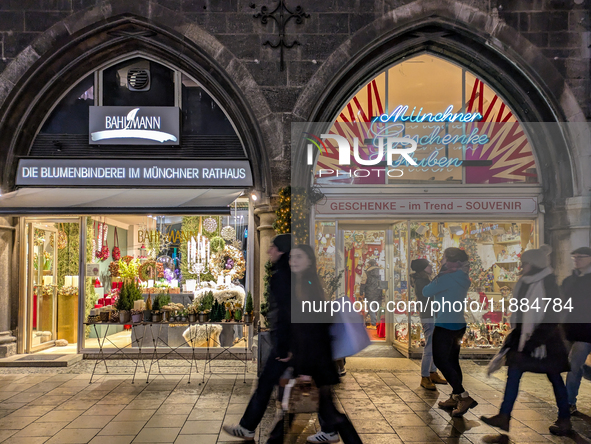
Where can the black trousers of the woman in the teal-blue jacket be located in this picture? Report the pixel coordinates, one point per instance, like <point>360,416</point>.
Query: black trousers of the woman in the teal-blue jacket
<point>446,356</point>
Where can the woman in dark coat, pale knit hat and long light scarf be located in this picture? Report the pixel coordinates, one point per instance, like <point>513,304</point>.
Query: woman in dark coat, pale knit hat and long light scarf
<point>535,344</point>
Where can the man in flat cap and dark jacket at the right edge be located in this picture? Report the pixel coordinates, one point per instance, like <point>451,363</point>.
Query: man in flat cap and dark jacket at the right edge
<point>577,327</point>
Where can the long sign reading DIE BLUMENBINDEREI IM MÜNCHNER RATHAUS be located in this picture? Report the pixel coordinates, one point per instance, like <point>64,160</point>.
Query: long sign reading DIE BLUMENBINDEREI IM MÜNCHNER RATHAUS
<point>133,173</point>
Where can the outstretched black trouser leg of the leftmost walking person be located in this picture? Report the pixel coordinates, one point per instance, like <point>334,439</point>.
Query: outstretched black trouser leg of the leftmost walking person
<point>260,399</point>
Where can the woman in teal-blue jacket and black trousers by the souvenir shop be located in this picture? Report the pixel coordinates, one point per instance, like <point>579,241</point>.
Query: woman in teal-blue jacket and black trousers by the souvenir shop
<point>451,285</point>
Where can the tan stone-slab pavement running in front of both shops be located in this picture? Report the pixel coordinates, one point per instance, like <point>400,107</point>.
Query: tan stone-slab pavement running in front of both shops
<point>386,406</point>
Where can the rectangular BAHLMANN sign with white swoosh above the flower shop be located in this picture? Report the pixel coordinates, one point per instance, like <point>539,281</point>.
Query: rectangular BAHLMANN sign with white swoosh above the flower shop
<point>134,125</point>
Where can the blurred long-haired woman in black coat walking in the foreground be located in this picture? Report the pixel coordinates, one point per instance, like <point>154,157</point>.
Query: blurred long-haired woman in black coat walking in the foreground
<point>312,353</point>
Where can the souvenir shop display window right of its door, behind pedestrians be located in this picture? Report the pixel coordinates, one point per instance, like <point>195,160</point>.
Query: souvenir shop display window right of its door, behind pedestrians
<point>494,250</point>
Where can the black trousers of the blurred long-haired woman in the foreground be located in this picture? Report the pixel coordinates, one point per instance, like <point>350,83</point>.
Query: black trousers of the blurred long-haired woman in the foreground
<point>331,420</point>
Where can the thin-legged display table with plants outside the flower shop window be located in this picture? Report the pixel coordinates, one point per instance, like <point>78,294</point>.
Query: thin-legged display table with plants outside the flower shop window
<point>156,335</point>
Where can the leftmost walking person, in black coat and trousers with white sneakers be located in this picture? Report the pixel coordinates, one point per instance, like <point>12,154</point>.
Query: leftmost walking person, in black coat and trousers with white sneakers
<point>280,317</point>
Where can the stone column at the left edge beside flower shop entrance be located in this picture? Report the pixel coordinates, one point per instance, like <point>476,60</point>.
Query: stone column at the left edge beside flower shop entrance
<point>7,284</point>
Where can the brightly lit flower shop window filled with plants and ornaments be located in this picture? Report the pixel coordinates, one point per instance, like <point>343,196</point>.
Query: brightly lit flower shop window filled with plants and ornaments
<point>166,272</point>
